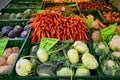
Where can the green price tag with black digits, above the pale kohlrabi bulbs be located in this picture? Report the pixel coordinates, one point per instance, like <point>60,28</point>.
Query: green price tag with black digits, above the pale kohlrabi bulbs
<point>48,43</point>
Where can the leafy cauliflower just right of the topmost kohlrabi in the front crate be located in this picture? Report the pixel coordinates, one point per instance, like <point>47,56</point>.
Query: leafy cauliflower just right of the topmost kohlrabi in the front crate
<point>101,48</point>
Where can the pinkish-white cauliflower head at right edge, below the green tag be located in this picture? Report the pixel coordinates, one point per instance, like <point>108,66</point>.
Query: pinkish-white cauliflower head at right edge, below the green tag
<point>115,43</point>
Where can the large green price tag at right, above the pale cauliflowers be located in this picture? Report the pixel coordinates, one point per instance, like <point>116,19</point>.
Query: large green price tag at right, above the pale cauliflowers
<point>108,32</point>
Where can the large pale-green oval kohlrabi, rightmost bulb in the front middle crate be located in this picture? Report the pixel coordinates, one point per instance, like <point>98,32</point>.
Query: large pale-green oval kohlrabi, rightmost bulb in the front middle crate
<point>89,61</point>
